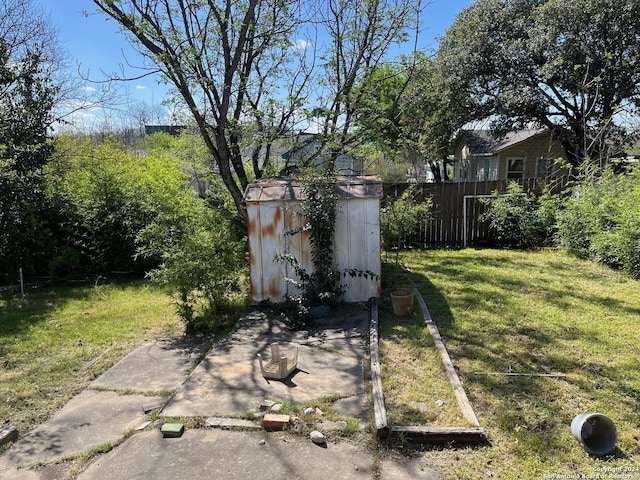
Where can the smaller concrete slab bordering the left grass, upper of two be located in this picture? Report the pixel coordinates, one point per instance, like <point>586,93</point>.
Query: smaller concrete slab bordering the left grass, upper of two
<point>154,367</point>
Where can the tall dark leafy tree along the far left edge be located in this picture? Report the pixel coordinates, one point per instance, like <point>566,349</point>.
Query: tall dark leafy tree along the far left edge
<point>27,97</point>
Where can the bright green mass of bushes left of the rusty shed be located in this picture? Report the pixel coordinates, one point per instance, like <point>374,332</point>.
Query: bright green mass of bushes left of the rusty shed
<point>135,211</point>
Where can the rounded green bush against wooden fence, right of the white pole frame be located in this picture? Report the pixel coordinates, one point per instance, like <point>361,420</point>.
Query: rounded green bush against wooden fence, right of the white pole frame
<point>520,220</point>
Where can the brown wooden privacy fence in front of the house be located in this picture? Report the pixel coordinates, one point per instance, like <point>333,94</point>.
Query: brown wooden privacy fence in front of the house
<point>457,208</point>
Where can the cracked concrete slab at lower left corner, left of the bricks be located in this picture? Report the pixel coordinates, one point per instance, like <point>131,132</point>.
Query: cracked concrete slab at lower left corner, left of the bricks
<point>89,419</point>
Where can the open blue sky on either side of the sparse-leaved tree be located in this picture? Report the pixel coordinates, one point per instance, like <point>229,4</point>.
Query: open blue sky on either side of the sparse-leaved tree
<point>94,44</point>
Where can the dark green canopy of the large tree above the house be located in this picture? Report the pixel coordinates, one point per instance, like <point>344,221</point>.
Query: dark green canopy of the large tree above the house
<point>573,67</point>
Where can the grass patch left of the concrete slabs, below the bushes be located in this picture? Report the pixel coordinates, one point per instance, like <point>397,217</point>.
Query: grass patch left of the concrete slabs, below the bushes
<point>58,339</point>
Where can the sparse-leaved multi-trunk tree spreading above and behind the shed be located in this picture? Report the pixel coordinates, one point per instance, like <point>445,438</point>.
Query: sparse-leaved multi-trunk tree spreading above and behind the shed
<point>272,65</point>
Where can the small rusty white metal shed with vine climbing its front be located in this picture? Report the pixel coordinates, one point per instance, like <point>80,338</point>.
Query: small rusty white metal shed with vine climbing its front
<point>271,209</point>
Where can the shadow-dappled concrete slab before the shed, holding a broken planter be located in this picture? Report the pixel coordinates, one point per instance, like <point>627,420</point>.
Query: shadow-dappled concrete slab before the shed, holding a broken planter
<point>228,381</point>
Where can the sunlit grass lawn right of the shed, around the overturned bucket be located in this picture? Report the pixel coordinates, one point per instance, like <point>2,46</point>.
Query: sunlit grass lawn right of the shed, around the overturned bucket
<point>533,313</point>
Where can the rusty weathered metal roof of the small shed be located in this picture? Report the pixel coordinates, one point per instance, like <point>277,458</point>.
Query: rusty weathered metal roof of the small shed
<point>290,189</point>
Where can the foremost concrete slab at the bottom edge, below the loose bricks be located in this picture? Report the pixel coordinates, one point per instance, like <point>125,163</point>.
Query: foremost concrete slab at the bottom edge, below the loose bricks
<point>230,455</point>
